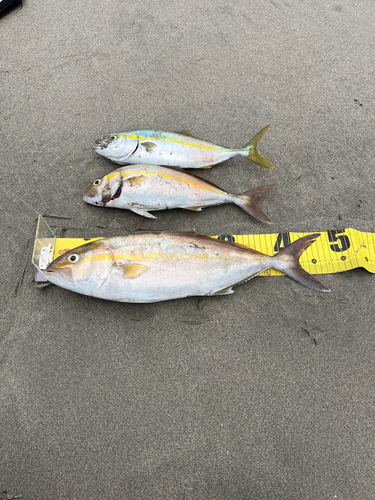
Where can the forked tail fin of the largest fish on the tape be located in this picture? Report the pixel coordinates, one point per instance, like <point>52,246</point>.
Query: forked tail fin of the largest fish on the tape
<point>286,261</point>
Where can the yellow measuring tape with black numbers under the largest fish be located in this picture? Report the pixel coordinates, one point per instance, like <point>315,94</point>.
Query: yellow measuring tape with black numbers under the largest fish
<point>335,251</point>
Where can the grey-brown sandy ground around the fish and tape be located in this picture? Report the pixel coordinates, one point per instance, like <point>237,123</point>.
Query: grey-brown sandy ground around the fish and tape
<point>264,394</point>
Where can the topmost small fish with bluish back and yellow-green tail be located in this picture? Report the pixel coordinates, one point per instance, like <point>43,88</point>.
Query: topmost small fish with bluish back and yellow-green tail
<point>173,149</point>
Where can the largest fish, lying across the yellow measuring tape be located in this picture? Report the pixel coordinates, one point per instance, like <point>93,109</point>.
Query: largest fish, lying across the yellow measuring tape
<point>160,266</point>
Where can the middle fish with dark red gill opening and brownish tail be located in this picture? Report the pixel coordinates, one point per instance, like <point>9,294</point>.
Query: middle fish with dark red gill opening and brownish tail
<point>147,188</point>
